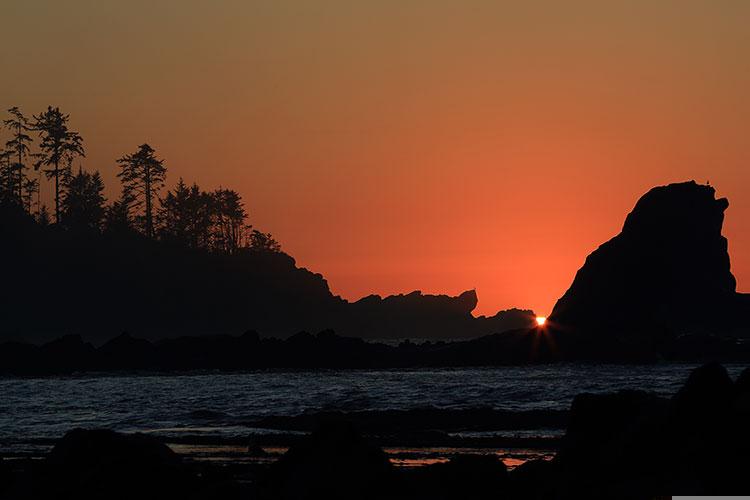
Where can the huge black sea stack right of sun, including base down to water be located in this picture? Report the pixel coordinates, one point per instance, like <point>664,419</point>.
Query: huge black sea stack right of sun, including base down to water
<point>661,289</point>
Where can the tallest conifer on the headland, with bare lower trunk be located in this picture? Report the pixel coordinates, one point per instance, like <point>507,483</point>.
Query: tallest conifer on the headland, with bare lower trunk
<point>59,146</point>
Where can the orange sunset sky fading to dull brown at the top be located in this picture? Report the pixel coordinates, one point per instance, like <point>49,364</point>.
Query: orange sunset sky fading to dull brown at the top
<point>400,145</point>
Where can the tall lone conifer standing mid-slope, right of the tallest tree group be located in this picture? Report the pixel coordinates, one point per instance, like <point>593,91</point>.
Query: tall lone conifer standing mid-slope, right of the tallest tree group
<point>142,175</point>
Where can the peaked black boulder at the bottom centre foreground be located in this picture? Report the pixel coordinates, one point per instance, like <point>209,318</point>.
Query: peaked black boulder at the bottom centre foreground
<point>334,462</point>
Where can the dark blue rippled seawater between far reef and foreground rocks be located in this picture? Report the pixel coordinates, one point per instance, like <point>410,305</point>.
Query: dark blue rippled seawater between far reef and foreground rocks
<point>37,410</point>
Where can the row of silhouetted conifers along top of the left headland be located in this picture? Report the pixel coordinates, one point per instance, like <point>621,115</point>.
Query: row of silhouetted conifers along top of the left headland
<point>186,215</point>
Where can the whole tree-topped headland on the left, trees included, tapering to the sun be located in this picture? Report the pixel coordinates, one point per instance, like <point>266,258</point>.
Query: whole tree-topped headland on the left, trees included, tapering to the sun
<point>165,264</point>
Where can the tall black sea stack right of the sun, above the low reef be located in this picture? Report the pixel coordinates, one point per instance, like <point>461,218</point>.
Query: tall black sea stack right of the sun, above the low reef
<point>668,270</point>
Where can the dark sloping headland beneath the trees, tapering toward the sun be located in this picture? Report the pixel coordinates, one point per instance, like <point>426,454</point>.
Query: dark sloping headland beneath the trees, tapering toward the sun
<point>77,281</point>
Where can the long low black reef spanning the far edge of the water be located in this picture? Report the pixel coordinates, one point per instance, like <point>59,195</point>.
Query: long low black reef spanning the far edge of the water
<point>326,350</point>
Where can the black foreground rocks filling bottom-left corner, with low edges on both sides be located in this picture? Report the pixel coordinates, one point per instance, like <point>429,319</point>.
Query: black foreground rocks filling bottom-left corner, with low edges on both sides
<point>102,464</point>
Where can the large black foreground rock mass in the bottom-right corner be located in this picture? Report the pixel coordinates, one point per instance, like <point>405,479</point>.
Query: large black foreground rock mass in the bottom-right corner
<point>635,445</point>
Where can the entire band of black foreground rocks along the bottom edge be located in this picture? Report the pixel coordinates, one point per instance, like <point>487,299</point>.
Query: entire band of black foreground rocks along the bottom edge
<point>623,445</point>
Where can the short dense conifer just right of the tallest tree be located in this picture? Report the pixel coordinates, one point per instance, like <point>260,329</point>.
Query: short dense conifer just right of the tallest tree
<point>83,203</point>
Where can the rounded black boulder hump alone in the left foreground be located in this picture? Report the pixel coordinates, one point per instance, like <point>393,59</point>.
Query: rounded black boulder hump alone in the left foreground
<point>104,464</point>
